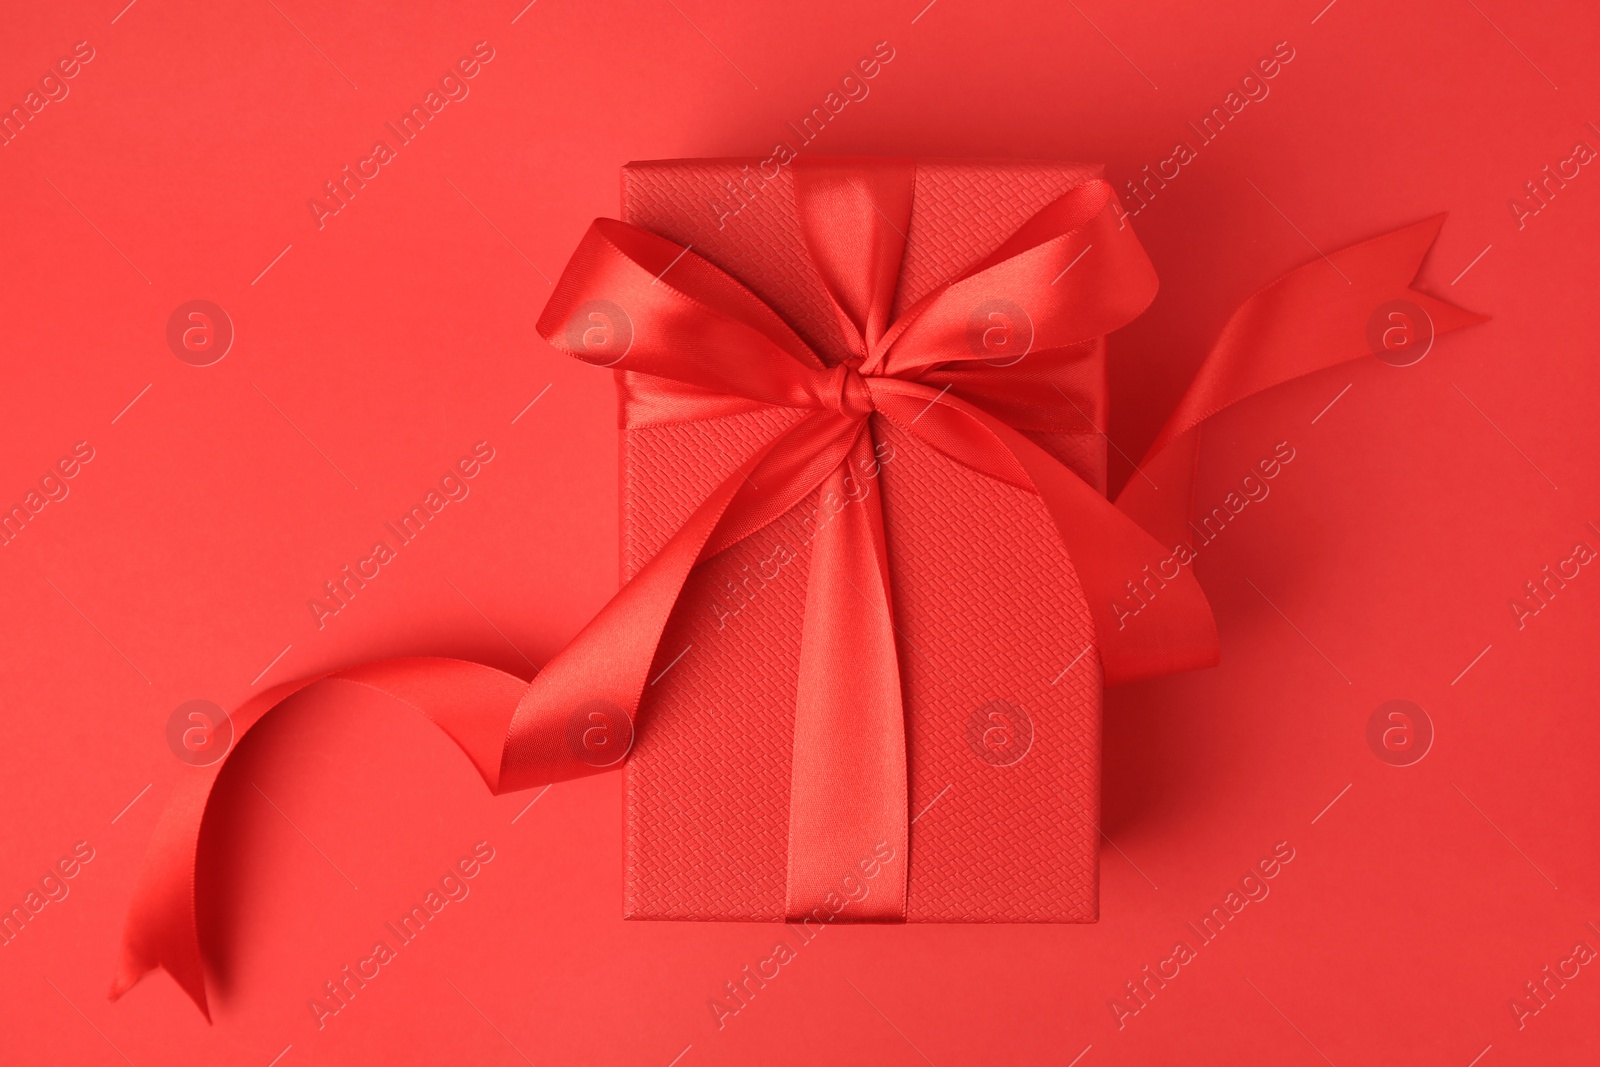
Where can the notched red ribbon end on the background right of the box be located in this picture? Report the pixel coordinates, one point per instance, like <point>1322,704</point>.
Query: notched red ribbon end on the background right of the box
<point>1310,319</point>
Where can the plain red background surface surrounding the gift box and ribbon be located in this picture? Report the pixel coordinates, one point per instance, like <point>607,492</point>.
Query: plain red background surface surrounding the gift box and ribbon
<point>402,332</point>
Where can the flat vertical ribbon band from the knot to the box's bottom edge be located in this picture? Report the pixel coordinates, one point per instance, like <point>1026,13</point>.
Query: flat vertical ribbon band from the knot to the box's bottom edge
<point>849,796</point>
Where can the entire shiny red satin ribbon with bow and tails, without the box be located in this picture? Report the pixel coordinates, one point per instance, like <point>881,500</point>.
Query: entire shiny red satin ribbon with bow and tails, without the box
<point>702,346</point>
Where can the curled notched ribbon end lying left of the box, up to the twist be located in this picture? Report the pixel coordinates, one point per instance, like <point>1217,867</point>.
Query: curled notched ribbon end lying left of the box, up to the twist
<point>468,701</point>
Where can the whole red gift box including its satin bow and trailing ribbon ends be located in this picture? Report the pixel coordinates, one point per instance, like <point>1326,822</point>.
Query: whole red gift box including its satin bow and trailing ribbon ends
<point>873,581</point>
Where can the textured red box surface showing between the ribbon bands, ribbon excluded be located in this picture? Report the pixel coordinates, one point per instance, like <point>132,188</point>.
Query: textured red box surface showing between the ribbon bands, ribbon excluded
<point>1002,687</point>
